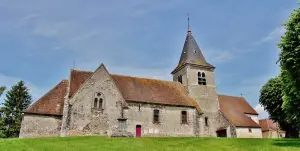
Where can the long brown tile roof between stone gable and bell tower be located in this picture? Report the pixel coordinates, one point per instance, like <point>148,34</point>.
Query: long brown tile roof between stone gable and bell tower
<point>153,91</point>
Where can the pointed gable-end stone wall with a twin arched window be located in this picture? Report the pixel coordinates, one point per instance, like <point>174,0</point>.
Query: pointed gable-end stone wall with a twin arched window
<point>86,120</point>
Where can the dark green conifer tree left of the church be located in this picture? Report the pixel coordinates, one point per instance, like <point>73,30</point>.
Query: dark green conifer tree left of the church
<point>17,99</point>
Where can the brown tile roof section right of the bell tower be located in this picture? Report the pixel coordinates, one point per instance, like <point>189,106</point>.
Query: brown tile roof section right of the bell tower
<point>235,108</point>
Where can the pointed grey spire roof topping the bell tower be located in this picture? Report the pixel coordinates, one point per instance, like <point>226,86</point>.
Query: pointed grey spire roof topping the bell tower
<point>191,54</point>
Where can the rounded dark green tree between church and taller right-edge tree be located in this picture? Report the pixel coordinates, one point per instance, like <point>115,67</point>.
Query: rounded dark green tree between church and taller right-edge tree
<point>271,99</point>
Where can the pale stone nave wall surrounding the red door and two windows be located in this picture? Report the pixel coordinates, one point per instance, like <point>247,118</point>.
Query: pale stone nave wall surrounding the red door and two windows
<point>169,117</point>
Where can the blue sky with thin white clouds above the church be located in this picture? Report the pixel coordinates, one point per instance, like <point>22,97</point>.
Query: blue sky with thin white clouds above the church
<point>41,40</point>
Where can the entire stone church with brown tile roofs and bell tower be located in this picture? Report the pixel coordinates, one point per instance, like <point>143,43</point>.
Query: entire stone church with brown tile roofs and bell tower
<point>101,103</point>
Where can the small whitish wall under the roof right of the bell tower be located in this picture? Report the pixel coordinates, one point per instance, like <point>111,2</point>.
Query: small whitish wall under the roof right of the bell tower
<point>243,132</point>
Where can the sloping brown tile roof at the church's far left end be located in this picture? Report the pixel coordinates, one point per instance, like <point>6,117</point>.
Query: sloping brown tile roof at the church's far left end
<point>52,102</point>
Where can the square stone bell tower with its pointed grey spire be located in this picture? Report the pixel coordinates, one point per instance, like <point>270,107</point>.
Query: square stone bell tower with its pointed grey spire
<point>197,76</point>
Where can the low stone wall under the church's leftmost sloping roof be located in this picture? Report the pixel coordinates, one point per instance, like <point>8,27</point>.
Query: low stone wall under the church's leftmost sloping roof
<point>40,126</point>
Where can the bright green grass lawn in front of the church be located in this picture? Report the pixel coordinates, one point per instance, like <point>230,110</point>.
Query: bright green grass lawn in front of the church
<point>148,144</point>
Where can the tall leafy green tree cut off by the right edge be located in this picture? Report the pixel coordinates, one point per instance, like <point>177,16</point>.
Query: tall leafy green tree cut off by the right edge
<point>289,59</point>
